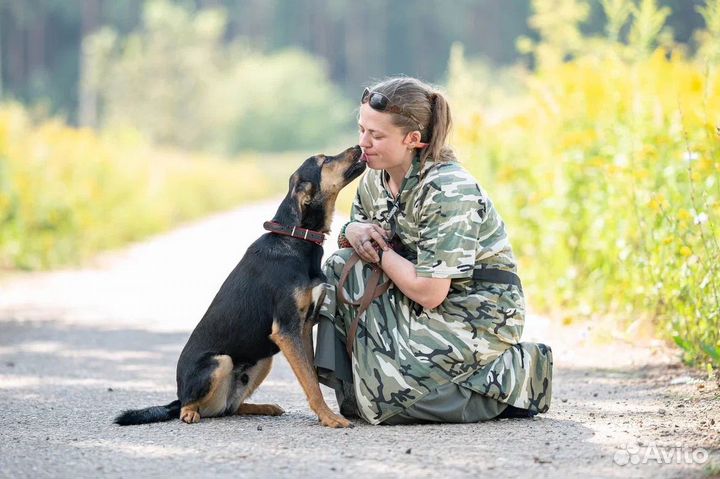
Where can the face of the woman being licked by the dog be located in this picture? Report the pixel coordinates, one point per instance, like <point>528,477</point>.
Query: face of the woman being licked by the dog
<point>384,144</point>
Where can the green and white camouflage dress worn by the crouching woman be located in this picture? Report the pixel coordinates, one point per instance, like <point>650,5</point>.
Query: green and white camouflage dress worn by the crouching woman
<point>404,352</point>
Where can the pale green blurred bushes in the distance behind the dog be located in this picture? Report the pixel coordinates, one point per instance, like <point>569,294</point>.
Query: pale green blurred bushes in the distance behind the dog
<point>177,81</point>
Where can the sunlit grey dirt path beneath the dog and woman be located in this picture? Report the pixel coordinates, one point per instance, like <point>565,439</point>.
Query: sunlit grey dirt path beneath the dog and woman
<point>78,346</point>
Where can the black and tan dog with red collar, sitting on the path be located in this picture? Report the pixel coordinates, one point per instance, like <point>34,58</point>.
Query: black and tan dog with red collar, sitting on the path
<point>267,304</point>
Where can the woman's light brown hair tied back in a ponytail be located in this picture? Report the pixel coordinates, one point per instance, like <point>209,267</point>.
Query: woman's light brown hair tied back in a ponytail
<point>425,104</point>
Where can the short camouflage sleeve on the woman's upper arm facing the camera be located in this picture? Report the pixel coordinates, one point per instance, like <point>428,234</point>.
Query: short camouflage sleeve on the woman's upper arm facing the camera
<point>449,226</point>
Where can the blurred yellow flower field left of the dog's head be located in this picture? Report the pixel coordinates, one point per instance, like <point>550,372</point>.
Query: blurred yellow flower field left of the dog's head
<point>67,193</point>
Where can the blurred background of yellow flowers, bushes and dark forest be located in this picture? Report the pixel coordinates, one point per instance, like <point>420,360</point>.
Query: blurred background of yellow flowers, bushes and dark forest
<point>593,125</point>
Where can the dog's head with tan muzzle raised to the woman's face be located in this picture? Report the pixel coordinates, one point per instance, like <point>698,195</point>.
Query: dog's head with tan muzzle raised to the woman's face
<point>315,185</point>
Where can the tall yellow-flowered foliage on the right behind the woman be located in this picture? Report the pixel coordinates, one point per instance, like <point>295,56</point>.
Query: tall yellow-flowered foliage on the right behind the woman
<point>607,171</point>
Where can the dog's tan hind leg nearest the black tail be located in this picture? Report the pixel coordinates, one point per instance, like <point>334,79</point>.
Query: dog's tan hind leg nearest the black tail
<point>214,402</point>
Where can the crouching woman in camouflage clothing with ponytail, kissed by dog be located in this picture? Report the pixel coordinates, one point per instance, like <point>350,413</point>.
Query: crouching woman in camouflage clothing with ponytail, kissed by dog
<point>442,343</point>
